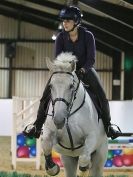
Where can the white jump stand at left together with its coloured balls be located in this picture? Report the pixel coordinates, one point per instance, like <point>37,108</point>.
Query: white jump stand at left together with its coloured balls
<point>24,112</point>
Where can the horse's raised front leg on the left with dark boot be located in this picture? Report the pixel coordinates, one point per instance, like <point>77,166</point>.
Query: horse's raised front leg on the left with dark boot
<point>47,143</point>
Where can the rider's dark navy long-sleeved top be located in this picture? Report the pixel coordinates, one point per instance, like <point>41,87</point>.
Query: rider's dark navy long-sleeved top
<point>83,48</point>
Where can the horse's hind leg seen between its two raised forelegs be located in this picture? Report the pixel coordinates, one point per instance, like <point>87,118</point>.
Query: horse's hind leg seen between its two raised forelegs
<point>70,165</point>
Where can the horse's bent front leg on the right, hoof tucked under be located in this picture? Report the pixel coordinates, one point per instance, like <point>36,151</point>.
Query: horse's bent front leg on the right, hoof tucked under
<point>89,148</point>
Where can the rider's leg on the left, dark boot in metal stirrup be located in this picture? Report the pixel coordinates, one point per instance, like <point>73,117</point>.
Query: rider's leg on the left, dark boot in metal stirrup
<point>35,129</point>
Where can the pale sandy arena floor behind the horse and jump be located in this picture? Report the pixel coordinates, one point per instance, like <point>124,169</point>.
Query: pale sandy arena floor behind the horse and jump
<point>5,163</point>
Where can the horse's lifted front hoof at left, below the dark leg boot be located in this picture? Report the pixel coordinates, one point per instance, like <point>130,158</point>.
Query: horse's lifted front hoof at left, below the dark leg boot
<point>52,171</point>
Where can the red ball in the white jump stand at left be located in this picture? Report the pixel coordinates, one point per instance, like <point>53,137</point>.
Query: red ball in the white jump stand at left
<point>23,152</point>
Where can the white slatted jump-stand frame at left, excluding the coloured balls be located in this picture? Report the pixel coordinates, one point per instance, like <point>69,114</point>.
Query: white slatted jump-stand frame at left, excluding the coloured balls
<point>24,112</point>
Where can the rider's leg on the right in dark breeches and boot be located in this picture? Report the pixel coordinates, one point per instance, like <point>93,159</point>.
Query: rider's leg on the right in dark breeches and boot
<point>91,78</point>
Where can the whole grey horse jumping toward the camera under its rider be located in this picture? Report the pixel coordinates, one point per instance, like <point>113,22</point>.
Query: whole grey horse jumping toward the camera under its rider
<point>72,127</point>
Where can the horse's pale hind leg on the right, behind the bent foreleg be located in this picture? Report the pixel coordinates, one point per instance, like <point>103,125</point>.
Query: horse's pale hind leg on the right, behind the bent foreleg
<point>98,161</point>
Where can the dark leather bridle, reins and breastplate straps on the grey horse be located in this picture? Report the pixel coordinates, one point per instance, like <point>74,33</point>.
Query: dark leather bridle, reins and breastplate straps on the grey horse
<point>69,108</point>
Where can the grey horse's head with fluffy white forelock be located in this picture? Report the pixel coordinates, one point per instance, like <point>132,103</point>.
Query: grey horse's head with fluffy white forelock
<point>63,86</point>
